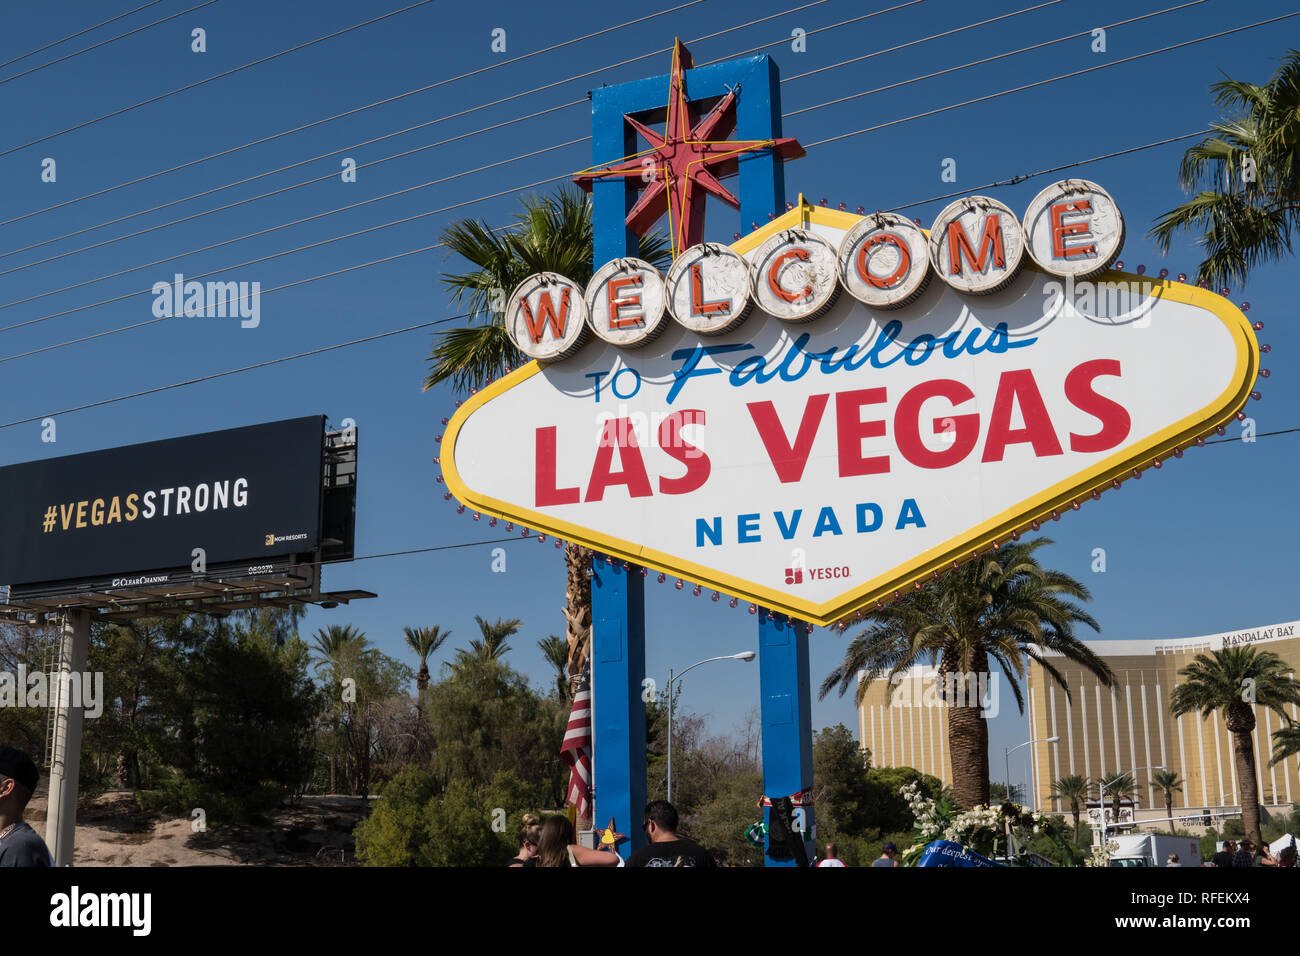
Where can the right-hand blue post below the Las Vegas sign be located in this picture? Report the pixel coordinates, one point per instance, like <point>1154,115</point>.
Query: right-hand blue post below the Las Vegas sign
<point>787,717</point>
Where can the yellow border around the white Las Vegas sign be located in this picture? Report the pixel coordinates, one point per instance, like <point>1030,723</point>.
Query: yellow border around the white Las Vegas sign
<point>939,559</point>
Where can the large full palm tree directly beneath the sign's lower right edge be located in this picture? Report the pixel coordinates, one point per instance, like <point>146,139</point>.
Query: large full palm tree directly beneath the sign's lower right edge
<point>1002,607</point>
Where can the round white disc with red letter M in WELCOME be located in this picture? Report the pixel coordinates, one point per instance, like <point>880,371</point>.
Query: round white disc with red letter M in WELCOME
<point>977,245</point>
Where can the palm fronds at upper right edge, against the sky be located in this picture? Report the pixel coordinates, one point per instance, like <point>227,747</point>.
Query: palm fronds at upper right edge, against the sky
<point>1249,206</point>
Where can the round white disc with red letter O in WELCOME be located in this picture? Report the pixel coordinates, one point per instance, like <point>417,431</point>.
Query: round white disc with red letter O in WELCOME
<point>885,262</point>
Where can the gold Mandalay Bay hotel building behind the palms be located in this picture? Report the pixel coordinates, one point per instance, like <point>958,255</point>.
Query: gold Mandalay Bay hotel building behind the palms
<point>1102,730</point>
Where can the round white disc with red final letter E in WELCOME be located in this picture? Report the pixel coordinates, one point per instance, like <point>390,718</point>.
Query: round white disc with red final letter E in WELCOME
<point>1074,228</point>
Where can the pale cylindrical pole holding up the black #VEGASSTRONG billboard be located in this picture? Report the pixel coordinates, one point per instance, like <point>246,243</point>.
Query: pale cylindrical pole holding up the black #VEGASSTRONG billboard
<point>66,755</point>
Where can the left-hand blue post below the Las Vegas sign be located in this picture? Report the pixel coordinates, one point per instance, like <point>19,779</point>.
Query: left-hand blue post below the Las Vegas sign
<point>618,708</point>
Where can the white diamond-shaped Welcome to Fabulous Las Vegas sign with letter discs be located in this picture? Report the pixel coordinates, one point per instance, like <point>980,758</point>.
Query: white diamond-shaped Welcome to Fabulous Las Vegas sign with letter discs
<point>839,408</point>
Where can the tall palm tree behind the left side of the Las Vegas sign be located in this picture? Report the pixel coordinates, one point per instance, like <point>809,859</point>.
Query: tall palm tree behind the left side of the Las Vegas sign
<point>552,233</point>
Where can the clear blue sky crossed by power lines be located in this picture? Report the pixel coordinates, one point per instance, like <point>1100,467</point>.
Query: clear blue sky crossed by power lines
<point>1206,546</point>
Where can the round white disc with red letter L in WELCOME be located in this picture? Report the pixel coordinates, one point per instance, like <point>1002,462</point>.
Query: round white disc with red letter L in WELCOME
<point>709,289</point>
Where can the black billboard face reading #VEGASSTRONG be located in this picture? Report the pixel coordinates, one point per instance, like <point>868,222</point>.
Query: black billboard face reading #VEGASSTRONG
<point>242,495</point>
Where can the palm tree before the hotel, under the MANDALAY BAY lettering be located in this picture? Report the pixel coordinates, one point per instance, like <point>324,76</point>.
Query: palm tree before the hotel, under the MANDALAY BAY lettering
<point>1236,681</point>
